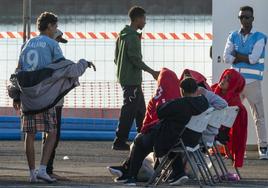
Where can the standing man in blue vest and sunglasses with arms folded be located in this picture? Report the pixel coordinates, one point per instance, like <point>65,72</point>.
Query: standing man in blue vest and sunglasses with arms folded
<point>245,51</point>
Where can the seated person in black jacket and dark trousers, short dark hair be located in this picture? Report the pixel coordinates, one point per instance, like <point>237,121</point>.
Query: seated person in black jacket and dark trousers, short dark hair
<point>173,116</point>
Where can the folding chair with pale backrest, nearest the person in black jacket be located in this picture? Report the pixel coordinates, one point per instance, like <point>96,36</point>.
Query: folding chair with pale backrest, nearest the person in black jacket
<point>197,124</point>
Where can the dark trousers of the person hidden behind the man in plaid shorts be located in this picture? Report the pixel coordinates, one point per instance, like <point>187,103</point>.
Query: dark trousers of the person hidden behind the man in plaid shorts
<point>51,159</point>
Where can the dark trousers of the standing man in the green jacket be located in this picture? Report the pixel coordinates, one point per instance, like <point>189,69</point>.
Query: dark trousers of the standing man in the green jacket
<point>133,108</point>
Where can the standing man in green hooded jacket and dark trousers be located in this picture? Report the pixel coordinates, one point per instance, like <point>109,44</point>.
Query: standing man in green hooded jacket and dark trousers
<point>128,59</point>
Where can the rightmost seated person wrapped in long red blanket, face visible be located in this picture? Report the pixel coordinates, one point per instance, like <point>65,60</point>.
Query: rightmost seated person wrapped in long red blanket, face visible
<point>230,86</point>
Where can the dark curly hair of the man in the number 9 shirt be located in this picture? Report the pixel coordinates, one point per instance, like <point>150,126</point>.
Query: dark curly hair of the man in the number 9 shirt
<point>44,19</point>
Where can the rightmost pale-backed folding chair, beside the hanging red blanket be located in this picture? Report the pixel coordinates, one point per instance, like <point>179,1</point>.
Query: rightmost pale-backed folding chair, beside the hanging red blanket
<point>230,114</point>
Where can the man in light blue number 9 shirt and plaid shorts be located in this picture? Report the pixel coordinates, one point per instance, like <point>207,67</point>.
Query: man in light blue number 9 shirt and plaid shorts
<point>36,54</point>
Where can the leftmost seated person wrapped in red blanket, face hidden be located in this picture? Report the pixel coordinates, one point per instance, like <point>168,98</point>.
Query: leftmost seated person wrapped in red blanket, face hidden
<point>167,89</point>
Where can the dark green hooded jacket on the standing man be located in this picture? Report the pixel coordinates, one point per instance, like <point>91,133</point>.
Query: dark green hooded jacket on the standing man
<point>128,57</point>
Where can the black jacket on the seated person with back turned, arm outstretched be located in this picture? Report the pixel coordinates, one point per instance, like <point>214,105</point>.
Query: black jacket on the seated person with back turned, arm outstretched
<point>174,115</point>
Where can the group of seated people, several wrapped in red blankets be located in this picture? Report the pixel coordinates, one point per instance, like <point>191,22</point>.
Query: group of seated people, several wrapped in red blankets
<point>169,111</point>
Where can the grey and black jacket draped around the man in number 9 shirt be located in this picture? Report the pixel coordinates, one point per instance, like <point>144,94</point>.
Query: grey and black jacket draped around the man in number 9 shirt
<point>40,90</point>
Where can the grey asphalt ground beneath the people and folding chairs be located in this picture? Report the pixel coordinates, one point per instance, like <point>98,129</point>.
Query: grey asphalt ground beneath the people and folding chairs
<point>87,162</point>
